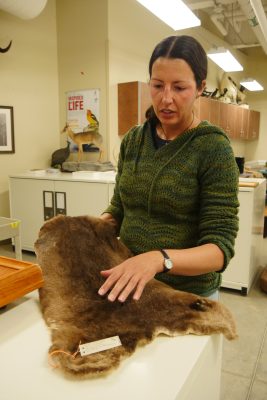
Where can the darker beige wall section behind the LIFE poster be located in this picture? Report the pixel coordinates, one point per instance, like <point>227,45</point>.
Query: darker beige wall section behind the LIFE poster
<point>82,27</point>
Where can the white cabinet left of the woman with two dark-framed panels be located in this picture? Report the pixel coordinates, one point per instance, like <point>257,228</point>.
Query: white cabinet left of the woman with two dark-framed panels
<point>34,200</point>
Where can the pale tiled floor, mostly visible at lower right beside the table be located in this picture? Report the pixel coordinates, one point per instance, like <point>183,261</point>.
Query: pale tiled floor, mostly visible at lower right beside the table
<point>244,367</point>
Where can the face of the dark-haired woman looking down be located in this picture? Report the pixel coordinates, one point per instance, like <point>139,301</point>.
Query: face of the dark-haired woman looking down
<point>173,91</point>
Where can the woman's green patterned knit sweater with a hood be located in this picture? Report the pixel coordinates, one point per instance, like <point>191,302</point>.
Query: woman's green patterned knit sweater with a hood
<point>181,195</point>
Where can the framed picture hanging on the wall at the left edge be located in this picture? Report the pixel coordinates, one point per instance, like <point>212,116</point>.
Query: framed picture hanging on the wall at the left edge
<point>7,144</point>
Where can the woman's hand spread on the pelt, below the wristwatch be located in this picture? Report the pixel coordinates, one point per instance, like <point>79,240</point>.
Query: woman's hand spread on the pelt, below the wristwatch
<point>131,276</point>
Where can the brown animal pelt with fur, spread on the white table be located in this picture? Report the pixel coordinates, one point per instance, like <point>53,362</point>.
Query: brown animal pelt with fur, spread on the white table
<point>71,252</point>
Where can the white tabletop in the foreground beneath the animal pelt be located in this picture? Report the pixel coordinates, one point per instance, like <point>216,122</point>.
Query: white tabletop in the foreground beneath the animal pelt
<point>180,368</point>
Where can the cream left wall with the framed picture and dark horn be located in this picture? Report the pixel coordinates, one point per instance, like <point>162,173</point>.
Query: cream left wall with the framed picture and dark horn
<point>28,82</point>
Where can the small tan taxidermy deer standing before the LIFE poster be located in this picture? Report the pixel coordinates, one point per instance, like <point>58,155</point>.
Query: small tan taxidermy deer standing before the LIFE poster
<point>90,136</point>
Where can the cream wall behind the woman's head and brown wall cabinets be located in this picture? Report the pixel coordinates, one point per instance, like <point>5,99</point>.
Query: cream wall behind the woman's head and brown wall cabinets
<point>133,33</point>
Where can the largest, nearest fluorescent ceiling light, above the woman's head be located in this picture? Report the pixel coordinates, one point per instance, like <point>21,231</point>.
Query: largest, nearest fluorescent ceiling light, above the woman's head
<point>173,12</point>
